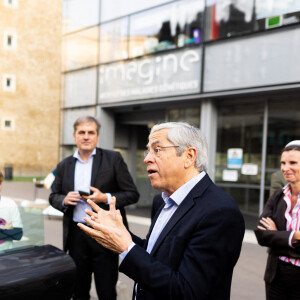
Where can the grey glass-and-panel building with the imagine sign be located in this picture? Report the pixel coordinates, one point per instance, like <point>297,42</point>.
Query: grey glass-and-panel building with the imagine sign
<point>228,67</point>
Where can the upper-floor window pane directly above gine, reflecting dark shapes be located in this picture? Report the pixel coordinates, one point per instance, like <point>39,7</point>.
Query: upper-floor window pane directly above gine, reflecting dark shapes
<point>171,26</point>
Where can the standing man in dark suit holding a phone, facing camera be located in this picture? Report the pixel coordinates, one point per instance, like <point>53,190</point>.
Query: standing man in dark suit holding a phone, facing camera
<point>105,174</point>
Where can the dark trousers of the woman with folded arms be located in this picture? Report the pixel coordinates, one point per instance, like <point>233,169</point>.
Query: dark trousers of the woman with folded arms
<point>285,285</point>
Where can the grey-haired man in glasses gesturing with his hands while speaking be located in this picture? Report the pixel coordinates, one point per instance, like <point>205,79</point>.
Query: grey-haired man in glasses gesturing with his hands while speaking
<point>194,240</point>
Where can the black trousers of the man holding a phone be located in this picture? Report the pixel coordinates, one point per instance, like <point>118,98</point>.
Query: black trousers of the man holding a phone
<point>90,257</point>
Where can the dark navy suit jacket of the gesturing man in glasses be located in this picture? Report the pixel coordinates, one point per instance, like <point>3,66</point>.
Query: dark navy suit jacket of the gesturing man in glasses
<point>195,254</point>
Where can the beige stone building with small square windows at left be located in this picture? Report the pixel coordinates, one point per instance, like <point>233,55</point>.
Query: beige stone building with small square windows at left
<point>30,74</point>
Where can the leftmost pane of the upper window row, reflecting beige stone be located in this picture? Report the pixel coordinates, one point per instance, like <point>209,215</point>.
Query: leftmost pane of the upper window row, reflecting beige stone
<point>80,49</point>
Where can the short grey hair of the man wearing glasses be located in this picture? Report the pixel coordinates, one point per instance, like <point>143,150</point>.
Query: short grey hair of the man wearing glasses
<point>185,135</point>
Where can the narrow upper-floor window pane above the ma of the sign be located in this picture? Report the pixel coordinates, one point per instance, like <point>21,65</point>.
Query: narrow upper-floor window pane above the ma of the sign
<point>114,40</point>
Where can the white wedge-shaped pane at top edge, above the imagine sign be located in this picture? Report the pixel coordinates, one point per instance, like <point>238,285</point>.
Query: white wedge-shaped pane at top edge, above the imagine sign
<point>119,8</point>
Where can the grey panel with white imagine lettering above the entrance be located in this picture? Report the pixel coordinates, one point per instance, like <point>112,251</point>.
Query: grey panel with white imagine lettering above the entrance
<point>163,75</point>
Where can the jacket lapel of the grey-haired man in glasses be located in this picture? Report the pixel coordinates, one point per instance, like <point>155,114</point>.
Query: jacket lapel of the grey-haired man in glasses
<point>183,208</point>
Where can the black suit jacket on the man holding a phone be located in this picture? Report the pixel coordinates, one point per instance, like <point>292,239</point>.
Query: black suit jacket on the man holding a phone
<point>109,174</point>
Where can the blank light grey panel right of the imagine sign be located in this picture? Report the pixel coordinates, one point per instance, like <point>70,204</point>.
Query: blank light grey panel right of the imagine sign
<point>263,56</point>
